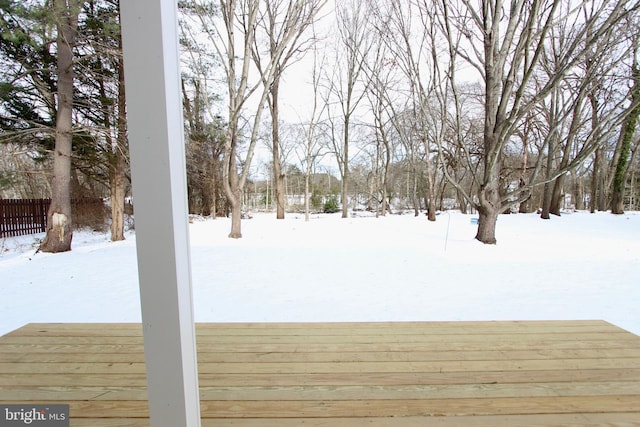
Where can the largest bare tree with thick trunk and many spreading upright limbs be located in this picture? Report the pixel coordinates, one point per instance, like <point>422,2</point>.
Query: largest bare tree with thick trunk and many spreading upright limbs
<point>514,38</point>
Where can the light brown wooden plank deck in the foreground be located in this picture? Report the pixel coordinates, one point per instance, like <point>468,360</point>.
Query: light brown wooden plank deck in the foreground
<point>578,373</point>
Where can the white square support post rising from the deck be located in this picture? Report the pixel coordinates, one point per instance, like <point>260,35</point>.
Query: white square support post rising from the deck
<point>156,145</point>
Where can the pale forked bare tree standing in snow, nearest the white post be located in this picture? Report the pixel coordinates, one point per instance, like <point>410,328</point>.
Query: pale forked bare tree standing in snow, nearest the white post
<point>235,40</point>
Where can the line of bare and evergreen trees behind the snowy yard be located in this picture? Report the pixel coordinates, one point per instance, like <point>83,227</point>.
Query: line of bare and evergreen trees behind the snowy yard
<point>497,106</point>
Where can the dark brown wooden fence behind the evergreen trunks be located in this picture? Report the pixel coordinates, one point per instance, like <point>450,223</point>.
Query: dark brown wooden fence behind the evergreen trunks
<point>29,216</point>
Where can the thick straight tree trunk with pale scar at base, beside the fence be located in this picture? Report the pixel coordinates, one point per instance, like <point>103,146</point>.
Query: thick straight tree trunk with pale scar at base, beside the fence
<point>59,221</point>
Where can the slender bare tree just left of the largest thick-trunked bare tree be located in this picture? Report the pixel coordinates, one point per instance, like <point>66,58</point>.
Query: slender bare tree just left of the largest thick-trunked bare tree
<point>431,85</point>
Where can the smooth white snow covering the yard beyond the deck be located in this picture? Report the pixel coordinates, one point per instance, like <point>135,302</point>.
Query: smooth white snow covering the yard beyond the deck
<point>399,267</point>
